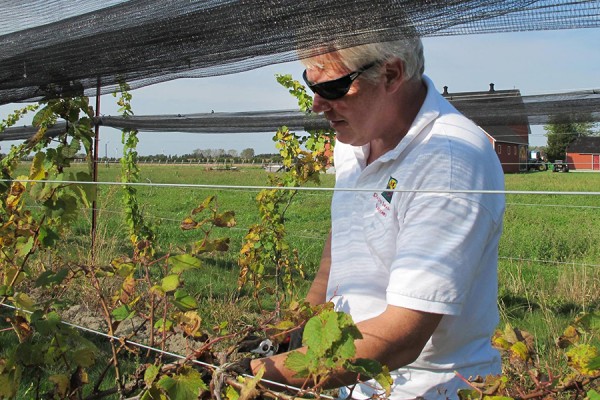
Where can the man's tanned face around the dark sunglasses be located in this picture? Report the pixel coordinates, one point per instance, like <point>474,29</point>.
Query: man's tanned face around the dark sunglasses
<point>354,117</point>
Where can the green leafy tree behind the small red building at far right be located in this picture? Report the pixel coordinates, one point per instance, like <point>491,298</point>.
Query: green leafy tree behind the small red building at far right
<point>562,134</point>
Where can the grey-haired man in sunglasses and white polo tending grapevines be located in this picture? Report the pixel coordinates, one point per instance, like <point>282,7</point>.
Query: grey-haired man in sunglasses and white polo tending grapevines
<point>415,267</point>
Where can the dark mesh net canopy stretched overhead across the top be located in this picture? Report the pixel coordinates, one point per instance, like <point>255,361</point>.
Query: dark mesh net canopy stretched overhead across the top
<point>52,48</point>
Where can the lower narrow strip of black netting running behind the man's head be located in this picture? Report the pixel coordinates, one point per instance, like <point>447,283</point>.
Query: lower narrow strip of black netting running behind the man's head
<point>498,109</point>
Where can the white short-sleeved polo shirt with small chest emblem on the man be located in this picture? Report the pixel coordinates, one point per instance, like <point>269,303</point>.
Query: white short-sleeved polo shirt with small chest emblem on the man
<point>429,247</point>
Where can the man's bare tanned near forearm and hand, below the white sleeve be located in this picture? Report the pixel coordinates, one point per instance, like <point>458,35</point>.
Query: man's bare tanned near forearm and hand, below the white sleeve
<point>395,338</point>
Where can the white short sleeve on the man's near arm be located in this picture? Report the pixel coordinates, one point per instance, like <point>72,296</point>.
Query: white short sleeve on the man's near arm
<point>439,253</point>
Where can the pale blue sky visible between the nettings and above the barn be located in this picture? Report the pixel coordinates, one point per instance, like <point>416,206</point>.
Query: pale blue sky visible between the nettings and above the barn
<point>534,62</point>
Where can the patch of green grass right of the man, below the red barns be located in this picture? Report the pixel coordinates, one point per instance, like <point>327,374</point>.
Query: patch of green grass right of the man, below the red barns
<point>550,259</point>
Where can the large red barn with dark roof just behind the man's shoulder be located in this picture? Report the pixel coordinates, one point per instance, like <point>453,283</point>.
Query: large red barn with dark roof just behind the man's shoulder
<point>511,141</point>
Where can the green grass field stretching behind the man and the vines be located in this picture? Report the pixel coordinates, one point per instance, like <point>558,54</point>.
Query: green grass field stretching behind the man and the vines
<point>549,255</point>
